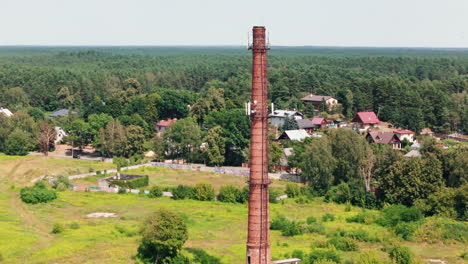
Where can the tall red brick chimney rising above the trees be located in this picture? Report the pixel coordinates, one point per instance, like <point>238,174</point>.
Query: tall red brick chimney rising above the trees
<point>258,239</point>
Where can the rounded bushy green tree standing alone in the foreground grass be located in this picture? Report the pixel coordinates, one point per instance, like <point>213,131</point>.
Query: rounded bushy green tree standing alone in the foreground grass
<point>163,235</point>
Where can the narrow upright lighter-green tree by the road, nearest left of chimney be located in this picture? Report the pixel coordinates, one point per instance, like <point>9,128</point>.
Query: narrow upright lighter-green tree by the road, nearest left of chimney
<point>215,147</point>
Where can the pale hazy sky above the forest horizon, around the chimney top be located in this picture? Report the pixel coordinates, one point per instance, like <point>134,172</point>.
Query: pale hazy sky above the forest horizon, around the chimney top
<point>368,23</point>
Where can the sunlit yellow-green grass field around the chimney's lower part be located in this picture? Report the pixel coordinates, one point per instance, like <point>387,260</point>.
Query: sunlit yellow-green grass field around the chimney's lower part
<point>217,228</point>
